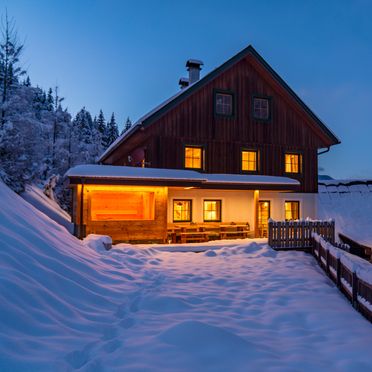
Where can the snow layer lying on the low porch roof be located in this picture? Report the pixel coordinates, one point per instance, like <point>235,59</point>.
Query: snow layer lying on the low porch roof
<point>122,172</point>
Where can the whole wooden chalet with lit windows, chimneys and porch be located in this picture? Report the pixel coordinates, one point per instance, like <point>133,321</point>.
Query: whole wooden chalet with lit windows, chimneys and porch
<point>216,160</point>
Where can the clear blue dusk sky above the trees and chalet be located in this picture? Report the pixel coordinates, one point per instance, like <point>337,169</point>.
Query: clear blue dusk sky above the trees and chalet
<point>127,56</point>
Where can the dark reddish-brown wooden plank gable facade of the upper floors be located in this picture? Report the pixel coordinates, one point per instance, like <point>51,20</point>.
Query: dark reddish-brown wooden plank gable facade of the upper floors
<point>190,119</point>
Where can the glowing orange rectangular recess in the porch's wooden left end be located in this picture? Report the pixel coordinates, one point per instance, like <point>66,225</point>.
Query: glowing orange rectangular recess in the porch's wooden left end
<point>122,205</point>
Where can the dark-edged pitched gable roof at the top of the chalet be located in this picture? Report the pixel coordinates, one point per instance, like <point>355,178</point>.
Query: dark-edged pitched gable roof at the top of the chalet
<point>168,104</point>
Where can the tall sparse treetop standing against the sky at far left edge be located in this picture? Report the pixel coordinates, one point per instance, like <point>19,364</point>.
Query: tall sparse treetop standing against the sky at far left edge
<point>10,52</point>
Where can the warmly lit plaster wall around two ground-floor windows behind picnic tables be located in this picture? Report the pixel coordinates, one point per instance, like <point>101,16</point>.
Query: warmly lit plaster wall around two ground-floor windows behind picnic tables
<point>236,206</point>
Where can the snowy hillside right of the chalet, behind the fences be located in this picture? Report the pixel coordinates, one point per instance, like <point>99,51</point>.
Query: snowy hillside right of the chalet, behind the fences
<point>349,202</point>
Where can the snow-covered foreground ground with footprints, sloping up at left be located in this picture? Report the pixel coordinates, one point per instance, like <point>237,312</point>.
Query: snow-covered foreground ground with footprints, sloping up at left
<point>67,305</point>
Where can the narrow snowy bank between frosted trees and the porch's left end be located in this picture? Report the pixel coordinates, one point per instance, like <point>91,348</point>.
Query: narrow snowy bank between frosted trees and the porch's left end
<point>35,196</point>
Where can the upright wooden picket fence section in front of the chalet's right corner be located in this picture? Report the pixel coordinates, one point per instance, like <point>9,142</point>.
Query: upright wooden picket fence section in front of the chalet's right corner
<point>298,234</point>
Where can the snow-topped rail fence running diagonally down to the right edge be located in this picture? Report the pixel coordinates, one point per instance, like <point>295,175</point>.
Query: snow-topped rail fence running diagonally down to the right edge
<point>352,274</point>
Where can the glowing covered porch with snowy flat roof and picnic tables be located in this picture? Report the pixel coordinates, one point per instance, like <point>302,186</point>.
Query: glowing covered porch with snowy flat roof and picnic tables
<point>141,205</point>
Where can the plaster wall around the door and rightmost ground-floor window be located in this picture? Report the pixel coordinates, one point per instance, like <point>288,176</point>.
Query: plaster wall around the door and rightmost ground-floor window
<point>308,204</point>
